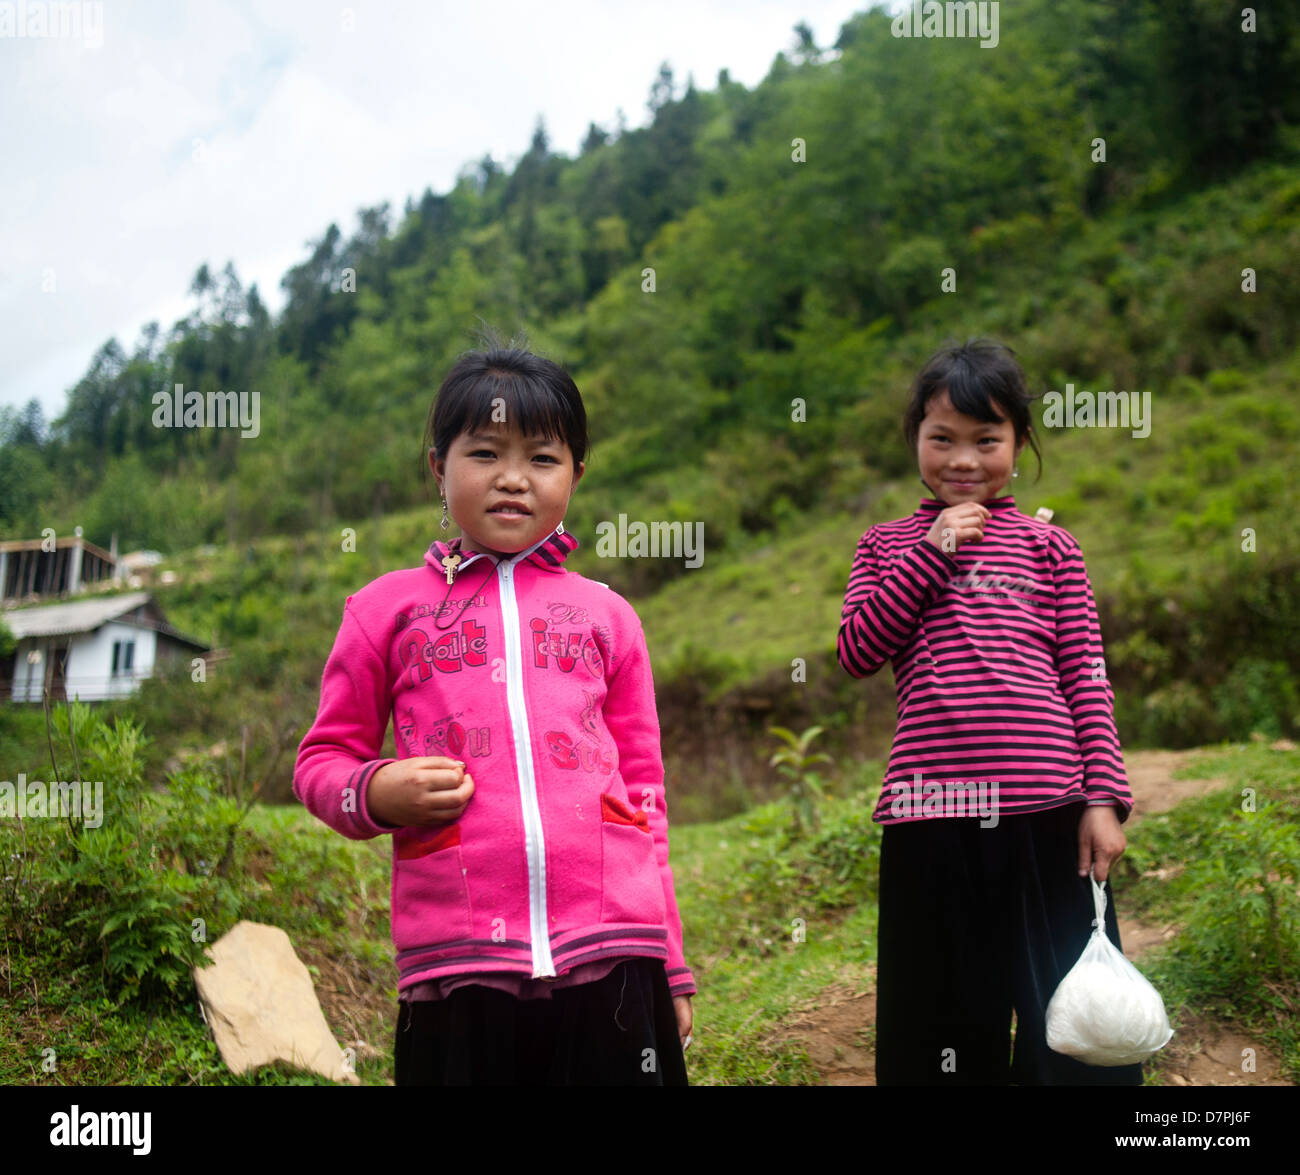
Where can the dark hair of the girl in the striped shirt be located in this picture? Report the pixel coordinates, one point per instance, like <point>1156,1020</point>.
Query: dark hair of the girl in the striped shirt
<point>976,375</point>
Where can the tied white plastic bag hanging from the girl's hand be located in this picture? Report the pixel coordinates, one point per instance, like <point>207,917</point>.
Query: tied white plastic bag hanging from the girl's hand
<point>1106,1012</point>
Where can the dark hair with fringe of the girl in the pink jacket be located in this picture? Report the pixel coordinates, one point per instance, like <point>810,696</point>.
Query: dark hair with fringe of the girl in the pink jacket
<point>539,397</point>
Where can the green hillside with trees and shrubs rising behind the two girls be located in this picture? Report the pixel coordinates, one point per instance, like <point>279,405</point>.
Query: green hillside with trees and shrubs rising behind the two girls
<point>1091,193</point>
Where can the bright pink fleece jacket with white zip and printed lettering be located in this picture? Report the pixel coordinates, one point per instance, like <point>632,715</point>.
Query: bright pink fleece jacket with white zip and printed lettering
<point>540,682</point>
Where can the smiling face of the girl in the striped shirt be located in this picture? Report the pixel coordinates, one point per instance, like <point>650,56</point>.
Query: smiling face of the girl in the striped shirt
<point>964,459</point>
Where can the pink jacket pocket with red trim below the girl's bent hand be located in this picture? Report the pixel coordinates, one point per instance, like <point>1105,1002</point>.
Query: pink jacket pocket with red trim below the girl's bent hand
<point>430,887</point>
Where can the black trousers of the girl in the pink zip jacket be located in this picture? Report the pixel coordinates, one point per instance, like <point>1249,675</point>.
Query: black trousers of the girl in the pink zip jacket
<point>618,1031</point>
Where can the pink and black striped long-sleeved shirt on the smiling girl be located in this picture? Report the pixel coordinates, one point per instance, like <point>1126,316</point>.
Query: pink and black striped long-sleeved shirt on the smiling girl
<point>998,660</point>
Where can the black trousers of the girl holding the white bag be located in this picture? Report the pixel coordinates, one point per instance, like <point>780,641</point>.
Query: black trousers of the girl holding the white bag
<point>977,922</point>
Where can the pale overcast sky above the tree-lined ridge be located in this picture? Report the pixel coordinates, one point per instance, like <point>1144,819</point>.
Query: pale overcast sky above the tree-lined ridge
<point>170,135</point>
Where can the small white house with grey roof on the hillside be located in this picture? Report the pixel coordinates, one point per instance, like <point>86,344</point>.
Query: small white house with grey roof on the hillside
<point>90,649</point>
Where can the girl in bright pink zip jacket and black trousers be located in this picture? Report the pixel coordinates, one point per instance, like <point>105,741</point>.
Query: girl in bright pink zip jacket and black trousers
<point>534,909</point>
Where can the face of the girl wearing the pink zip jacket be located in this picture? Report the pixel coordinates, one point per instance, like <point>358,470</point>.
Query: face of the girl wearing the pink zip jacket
<point>505,491</point>
